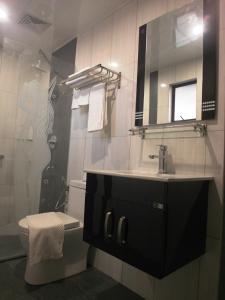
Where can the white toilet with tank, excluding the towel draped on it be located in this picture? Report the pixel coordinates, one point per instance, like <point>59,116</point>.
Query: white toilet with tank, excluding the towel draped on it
<point>74,258</point>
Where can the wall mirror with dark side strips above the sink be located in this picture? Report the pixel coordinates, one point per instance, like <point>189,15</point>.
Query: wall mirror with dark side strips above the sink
<point>177,66</point>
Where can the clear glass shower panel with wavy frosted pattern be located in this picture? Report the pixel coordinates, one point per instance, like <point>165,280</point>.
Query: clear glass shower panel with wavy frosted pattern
<point>25,114</point>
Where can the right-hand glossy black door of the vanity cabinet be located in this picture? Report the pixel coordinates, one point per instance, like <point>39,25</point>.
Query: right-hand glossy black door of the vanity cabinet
<point>140,223</point>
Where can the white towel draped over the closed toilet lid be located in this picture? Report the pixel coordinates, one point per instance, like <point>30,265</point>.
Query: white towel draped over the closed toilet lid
<point>46,237</point>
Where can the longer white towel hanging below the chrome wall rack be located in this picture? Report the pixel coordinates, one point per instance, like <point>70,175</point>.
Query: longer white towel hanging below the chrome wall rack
<point>97,108</point>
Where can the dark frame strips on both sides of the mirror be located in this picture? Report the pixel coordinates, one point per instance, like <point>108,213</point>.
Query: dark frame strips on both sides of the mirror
<point>210,60</point>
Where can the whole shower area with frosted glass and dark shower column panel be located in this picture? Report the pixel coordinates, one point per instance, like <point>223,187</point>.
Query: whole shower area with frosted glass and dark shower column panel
<point>34,119</point>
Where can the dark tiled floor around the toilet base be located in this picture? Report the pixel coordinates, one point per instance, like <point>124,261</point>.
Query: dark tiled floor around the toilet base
<point>88,285</point>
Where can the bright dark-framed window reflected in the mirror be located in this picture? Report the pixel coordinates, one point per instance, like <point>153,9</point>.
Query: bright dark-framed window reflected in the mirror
<point>184,101</point>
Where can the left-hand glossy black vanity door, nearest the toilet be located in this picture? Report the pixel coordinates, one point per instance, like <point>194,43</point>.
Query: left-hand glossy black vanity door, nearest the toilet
<point>99,217</point>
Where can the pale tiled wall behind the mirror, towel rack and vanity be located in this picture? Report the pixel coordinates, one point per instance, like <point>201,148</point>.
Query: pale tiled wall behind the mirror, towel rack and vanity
<point>116,39</point>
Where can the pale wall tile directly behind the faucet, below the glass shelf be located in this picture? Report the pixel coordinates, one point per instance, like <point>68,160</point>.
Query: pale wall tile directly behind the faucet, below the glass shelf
<point>185,155</point>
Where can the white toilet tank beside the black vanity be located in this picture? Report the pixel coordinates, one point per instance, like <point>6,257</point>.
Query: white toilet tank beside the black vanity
<point>76,199</point>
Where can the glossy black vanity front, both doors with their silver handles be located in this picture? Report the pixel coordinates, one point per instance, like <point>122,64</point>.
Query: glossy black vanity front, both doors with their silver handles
<point>126,218</point>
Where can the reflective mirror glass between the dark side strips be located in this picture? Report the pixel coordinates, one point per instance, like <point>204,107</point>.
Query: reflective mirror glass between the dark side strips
<point>173,66</point>
